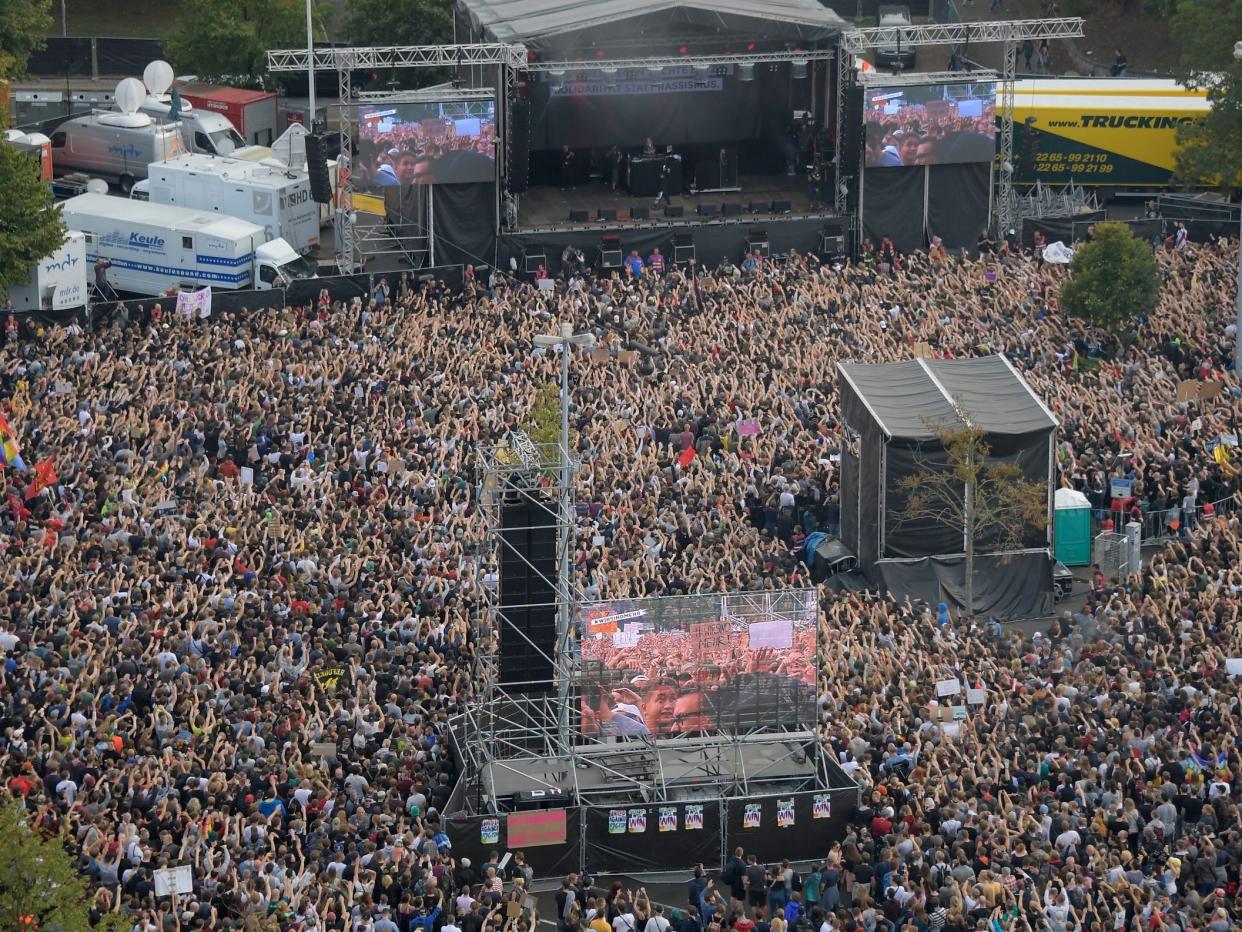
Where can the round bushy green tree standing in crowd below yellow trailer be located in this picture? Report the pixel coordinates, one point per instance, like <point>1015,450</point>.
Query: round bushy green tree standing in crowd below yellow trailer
<point>1113,279</point>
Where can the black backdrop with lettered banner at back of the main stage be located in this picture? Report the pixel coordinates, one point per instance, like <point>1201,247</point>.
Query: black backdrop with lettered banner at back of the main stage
<point>674,119</point>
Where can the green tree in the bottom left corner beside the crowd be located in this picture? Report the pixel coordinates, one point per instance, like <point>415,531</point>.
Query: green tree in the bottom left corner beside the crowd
<point>39,887</point>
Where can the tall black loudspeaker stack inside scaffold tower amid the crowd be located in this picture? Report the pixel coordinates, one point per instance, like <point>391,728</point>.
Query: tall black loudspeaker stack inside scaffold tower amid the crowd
<point>528,595</point>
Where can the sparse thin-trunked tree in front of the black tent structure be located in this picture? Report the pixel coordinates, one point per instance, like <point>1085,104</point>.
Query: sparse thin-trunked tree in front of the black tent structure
<point>962,489</point>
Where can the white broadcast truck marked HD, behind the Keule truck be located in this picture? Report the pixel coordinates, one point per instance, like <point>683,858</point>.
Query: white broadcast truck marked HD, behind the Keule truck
<point>274,198</point>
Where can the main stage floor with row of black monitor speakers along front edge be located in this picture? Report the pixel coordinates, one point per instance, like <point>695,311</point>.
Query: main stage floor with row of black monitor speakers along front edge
<point>552,209</point>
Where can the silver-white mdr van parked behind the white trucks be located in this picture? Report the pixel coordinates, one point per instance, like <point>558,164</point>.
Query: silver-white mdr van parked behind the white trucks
<point>117,147</point>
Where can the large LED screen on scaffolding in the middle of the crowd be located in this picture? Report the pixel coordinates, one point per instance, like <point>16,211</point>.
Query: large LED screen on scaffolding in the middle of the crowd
<point>733,663</point>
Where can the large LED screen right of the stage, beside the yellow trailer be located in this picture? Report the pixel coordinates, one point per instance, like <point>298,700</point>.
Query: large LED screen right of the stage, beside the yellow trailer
<point>931,125</point>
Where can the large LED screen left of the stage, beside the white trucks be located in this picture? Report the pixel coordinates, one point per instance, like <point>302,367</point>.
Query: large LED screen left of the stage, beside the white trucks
<point>449,142</point>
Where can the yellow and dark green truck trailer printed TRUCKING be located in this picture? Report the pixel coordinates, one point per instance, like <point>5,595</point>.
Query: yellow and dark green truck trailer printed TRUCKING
<point>1118,134</point>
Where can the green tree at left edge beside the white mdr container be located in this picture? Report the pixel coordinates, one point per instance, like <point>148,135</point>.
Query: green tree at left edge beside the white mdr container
<point>30,226</point>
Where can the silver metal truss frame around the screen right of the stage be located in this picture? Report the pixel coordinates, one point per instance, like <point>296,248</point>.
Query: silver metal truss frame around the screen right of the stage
<point>1012,33</point>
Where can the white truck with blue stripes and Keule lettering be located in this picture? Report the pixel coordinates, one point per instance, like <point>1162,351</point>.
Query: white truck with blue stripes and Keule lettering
<point>155,249</point>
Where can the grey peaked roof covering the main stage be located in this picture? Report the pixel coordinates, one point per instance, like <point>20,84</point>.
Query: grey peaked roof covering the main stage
<point>546,24</point>
